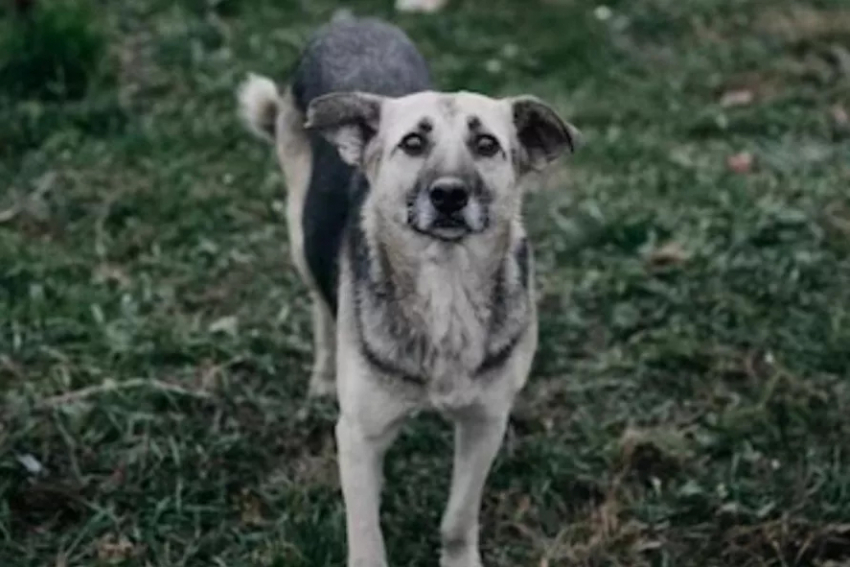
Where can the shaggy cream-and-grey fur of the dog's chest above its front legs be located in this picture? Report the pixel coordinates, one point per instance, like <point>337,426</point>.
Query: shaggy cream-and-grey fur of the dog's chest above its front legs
<point>440,320</point>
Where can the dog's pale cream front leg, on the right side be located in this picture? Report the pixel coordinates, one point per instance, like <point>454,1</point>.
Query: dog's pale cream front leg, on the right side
<point>478,435</point>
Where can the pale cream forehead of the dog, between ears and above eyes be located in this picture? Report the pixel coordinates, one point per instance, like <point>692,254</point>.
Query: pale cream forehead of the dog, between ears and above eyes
<point>447,111</point>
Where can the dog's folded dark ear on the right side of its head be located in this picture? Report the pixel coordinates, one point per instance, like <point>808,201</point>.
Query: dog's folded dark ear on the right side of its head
<point>543,135</point>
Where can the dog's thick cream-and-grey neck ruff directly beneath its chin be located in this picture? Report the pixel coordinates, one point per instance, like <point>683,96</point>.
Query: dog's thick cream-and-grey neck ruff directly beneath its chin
<point>433,310</point>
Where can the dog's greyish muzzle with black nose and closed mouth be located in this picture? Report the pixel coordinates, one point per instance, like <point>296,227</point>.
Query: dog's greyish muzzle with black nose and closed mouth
<point>448,209</point>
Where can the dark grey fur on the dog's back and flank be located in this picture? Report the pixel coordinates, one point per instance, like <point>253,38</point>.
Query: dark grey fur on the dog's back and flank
<point>349,55</point>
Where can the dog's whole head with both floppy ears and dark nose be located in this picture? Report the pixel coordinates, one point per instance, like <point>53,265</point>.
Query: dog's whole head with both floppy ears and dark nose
<point>447,166</point>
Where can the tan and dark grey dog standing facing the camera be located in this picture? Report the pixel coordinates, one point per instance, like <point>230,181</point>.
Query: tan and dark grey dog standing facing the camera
<point>405,222</point>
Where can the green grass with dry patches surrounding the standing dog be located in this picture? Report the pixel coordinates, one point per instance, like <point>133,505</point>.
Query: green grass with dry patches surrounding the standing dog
<point>690,400</point>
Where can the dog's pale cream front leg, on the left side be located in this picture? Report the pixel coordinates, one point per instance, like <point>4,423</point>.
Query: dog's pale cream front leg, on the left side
<point>368,424</point>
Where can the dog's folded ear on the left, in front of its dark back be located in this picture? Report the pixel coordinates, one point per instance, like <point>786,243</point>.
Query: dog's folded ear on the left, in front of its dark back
<point>347,120</point>
